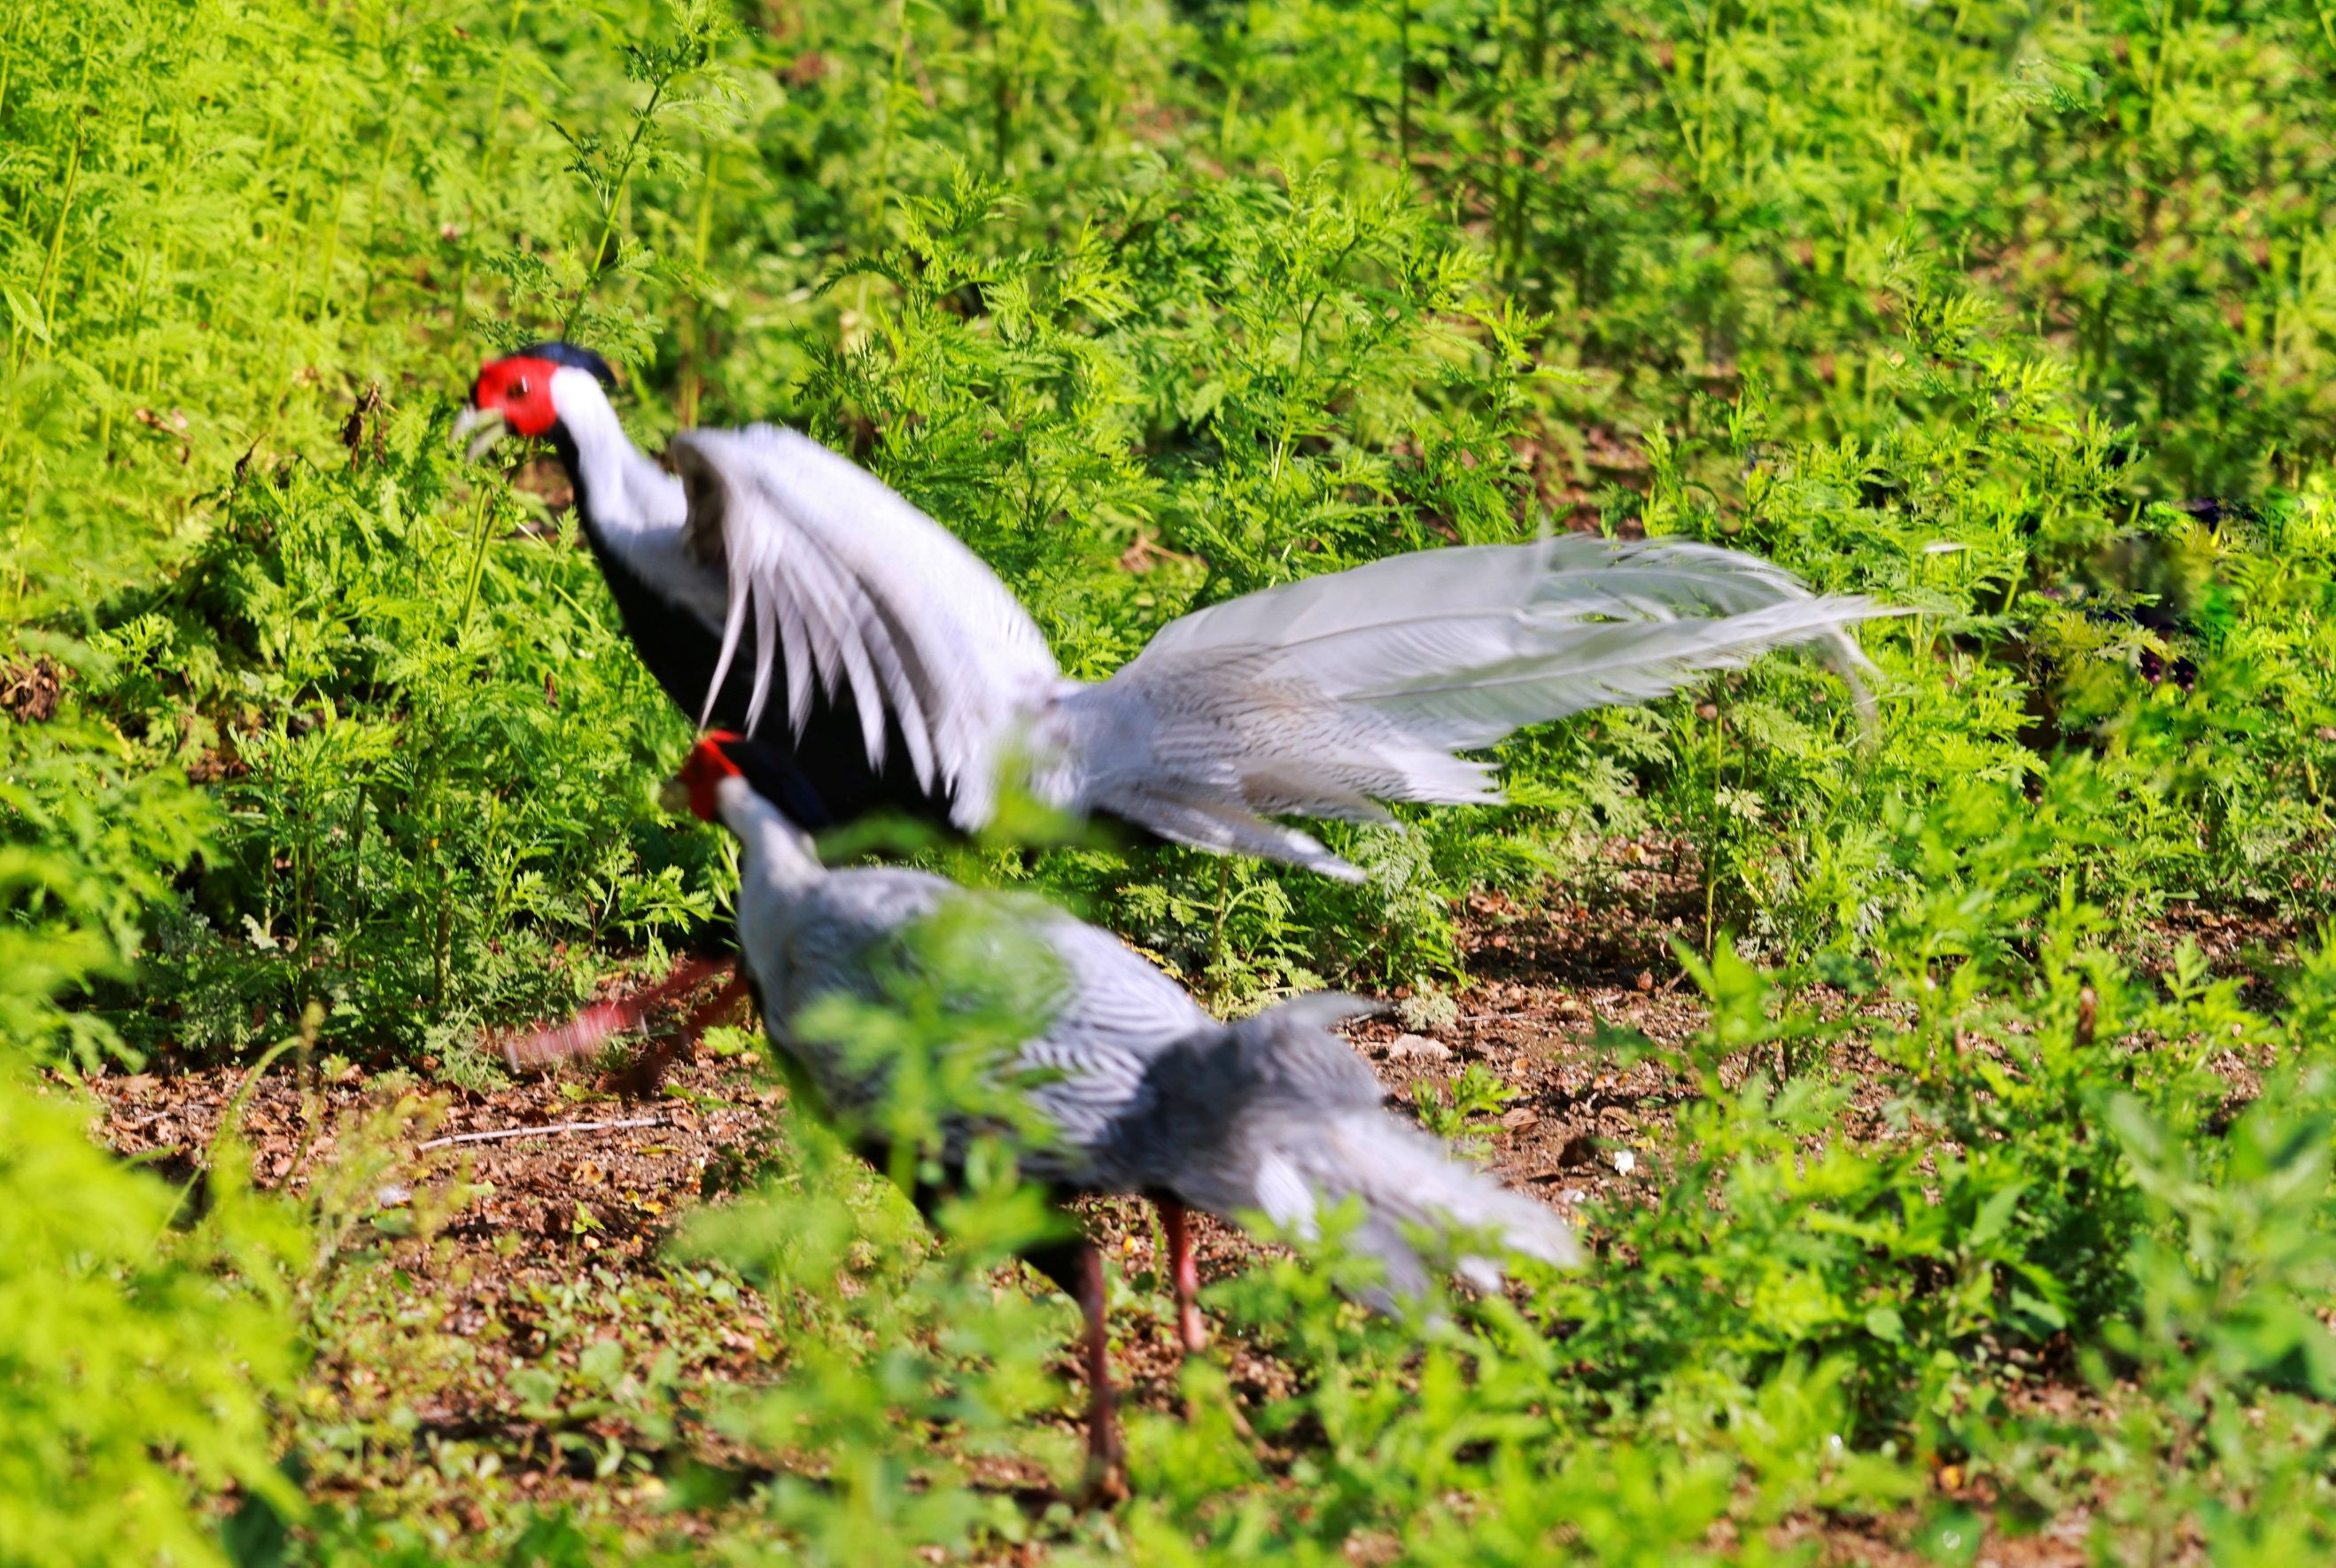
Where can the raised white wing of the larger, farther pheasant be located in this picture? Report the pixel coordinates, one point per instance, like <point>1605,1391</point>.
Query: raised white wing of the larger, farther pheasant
<point>856,588</point>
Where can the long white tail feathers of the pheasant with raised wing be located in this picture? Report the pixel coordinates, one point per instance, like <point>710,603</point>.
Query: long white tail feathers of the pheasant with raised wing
<point>1330,695</point>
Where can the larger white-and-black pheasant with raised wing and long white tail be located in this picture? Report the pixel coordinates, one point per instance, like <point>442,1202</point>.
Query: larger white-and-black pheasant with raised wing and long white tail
<point>777,588</point>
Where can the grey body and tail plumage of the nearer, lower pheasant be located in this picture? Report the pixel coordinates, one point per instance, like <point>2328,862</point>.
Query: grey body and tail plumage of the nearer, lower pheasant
<point>1148,1092</point>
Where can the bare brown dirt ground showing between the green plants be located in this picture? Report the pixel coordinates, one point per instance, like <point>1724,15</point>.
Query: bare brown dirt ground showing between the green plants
<point>557,1244</point>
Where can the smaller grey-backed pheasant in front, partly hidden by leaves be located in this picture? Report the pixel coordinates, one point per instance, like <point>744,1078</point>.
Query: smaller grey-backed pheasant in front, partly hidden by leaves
<point>1132,1085</point>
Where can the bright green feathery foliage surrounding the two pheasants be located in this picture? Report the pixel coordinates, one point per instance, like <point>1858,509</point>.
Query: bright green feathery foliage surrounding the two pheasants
<point>2015,317</point>
